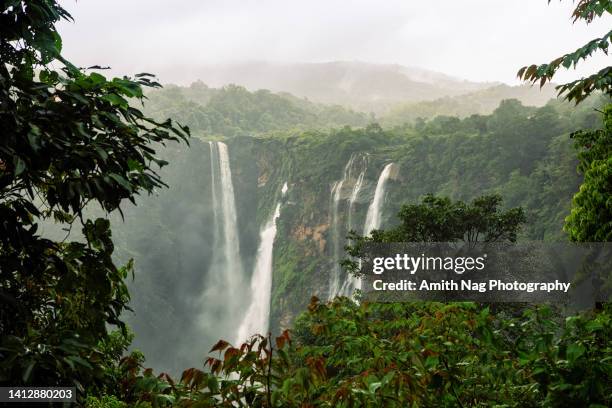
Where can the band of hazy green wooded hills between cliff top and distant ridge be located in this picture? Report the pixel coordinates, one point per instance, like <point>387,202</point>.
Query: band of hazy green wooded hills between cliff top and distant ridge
<point>234,111</point>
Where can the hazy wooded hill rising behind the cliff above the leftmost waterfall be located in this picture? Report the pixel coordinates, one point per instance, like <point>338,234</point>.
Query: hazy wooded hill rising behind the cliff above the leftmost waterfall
<point>234,111</point>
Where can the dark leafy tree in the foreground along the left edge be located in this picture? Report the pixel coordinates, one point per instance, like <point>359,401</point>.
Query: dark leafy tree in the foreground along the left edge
<point>70,138</point>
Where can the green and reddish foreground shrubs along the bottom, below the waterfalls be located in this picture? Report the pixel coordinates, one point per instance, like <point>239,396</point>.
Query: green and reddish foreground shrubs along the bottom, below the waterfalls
<point>398,355</point>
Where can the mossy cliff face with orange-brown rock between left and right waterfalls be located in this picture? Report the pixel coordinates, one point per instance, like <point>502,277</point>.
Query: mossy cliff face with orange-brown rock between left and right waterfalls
<point>304,247</point>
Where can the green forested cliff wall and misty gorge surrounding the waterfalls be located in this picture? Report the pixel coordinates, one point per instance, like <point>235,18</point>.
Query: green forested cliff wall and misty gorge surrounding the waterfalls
<point>522,153</point>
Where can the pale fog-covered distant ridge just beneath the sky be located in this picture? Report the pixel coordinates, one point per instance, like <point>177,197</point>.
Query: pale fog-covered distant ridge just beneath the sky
<point>363,86</point>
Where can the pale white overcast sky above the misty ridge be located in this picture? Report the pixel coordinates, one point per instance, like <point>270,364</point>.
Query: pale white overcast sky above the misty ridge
<point>480,40</point>
